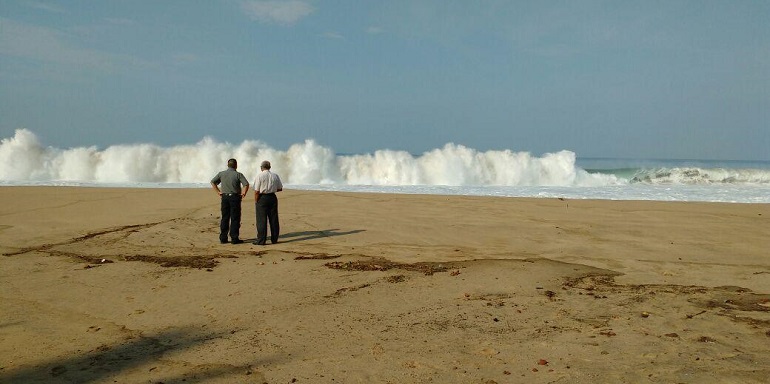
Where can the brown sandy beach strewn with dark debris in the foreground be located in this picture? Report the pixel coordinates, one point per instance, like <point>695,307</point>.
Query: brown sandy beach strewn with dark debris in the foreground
<point>103,285</point>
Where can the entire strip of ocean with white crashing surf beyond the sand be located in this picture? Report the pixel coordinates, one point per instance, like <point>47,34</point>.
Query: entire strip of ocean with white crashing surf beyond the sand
<point>450,170</point>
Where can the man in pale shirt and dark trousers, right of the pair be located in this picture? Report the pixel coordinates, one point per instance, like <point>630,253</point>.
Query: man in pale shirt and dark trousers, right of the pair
<point>266,185</point>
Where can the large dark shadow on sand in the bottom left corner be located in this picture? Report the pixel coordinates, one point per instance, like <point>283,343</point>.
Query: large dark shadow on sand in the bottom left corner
<point>147,357</point>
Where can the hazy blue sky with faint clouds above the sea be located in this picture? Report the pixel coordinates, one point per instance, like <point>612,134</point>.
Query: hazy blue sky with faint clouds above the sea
<point>629,79</point>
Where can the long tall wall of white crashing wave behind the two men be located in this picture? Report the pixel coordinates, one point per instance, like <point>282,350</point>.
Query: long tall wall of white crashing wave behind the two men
<point>23,158</point>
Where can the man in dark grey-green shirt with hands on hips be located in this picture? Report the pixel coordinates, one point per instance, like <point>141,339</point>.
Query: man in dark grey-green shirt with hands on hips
<point>231,195</point>
